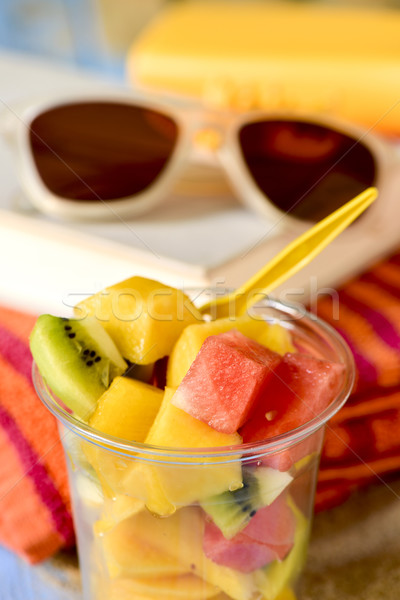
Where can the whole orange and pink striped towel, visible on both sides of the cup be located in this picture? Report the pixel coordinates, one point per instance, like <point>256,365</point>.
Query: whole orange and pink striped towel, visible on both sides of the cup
<point>362,443</point>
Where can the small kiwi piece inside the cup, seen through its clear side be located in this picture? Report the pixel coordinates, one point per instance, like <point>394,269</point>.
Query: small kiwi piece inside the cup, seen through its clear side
<point>231,511</point>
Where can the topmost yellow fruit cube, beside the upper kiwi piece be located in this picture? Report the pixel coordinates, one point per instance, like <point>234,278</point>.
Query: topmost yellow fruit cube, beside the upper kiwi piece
<point>143,317</point>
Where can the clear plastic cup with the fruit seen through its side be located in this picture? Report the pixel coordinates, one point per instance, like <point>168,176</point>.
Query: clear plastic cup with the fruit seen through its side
<point>156,523</point>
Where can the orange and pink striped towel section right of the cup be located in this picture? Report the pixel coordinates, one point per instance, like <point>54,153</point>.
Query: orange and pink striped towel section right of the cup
<point>362,442</point>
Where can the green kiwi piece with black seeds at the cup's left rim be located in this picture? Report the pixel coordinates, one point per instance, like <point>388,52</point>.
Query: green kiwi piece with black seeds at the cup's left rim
<point>77,359</point>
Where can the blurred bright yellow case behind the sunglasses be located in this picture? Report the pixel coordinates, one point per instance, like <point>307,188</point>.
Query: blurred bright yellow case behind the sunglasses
<point>266,55</point>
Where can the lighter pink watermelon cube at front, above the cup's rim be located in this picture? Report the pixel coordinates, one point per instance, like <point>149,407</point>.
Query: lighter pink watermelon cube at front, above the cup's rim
<point>225,379</point>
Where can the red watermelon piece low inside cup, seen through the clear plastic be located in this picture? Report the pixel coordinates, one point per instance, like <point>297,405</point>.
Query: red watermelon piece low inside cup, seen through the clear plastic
<point>269,536</point>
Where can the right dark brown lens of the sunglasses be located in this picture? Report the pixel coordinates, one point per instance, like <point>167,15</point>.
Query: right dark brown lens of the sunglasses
<point>306,170</point>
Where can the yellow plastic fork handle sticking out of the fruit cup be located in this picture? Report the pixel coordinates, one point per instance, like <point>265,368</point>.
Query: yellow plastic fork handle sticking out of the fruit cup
<point>290,260</point>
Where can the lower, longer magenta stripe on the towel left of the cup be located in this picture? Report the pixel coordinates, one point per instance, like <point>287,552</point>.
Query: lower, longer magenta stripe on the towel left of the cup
<point>33,468</point>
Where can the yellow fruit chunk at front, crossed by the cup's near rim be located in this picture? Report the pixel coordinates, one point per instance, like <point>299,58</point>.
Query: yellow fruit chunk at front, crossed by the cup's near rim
<point>172,485</point>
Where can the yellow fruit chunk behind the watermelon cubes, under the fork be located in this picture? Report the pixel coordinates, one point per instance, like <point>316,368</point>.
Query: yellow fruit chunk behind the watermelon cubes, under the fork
<point>273,336</point>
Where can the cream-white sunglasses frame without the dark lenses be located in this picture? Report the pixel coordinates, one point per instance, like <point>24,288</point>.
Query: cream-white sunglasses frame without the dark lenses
<point>190,120</point>
